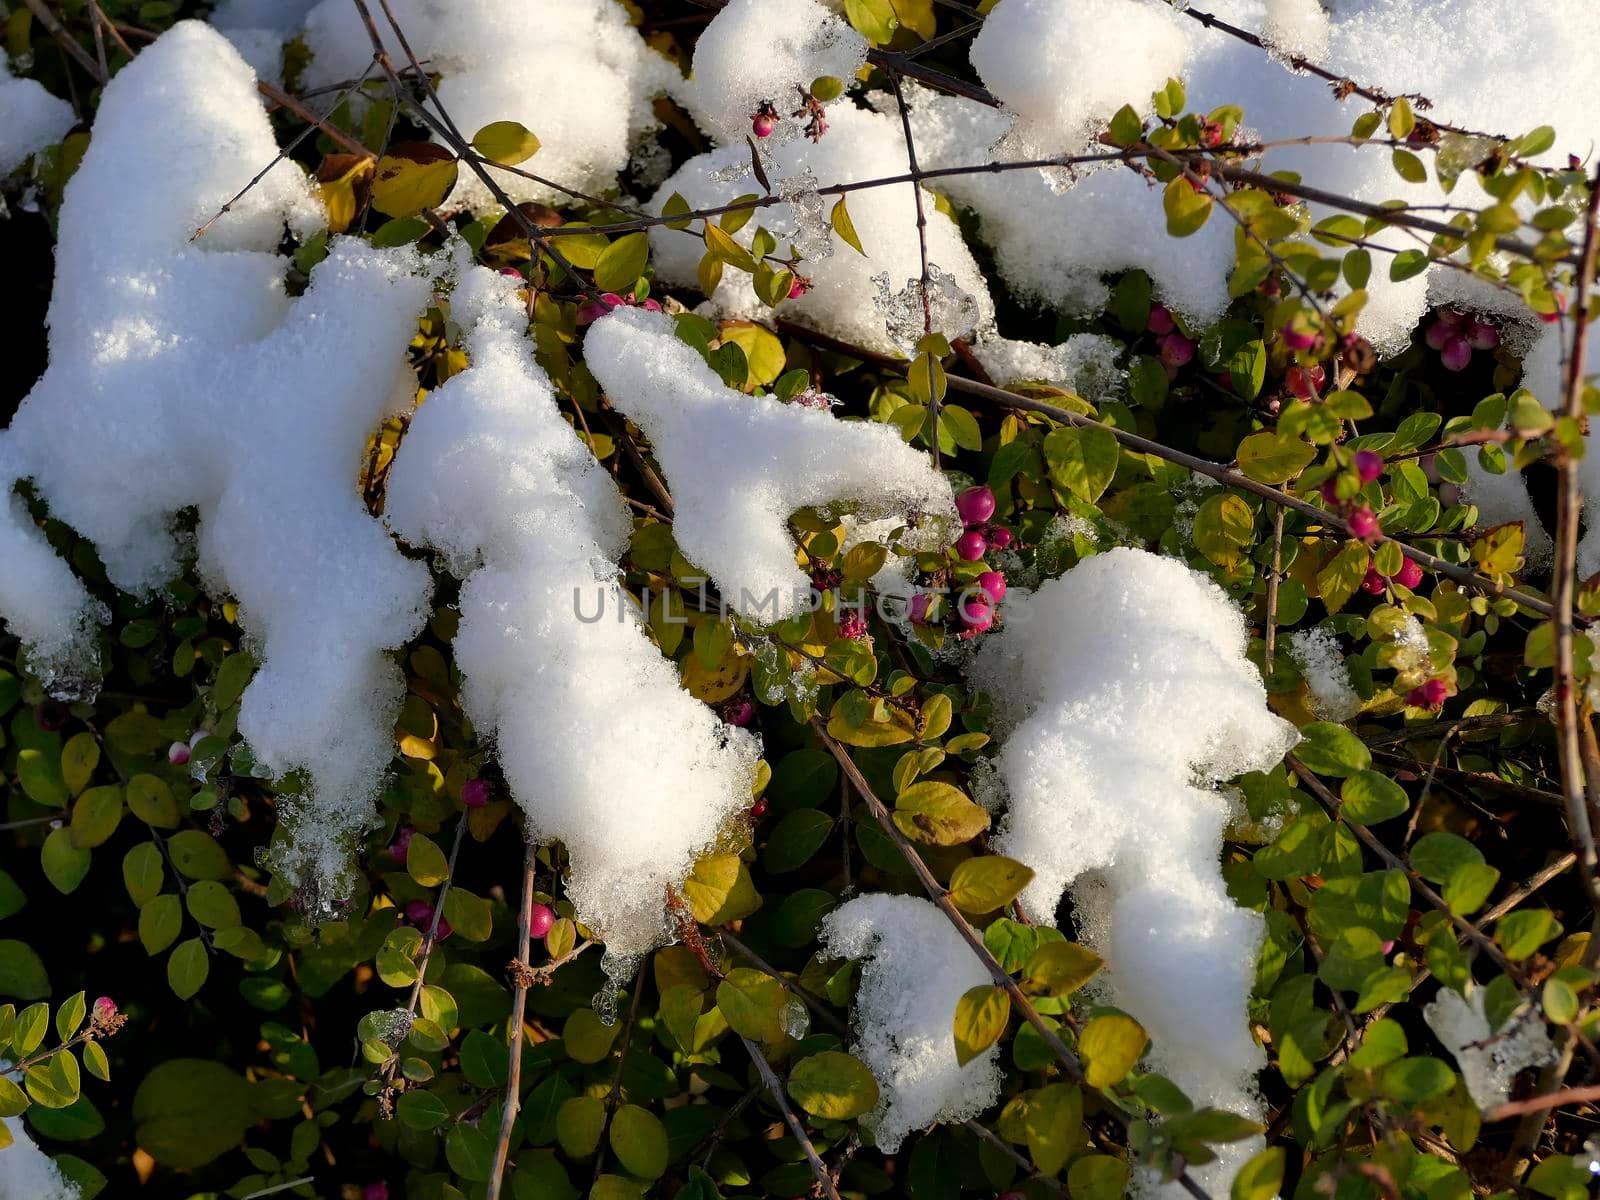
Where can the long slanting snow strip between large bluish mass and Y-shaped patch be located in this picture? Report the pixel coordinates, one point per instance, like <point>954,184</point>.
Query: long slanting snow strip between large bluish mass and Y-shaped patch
<point>554,662</point>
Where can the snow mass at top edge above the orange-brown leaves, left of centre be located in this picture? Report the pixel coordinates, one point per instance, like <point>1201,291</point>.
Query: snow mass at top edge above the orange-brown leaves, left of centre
<point>575,73</point>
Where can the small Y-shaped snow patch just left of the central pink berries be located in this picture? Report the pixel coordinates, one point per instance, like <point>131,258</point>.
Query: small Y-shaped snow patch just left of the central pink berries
<point>738,466</point>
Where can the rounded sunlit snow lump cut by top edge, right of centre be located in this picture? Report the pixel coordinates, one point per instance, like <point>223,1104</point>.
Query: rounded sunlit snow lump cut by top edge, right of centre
<point>1068,66</point>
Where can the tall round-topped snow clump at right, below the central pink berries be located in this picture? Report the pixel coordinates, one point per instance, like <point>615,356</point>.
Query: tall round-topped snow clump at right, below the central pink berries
<point>1122,682</point>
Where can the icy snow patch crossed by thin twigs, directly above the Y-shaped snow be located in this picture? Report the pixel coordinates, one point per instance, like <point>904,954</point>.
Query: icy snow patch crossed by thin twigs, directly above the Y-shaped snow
<point>844,297</point>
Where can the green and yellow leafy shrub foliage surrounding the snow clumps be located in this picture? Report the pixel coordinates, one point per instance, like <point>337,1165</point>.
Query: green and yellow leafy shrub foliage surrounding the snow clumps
<point>1396,854</point>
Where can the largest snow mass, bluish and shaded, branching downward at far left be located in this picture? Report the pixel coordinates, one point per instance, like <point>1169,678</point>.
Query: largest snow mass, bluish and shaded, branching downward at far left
<point>183,375</point>
